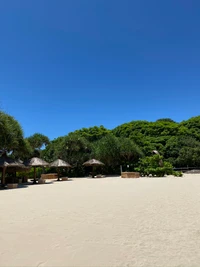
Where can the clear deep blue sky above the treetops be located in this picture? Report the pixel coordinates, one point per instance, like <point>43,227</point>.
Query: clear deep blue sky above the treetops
<point>68,64</point>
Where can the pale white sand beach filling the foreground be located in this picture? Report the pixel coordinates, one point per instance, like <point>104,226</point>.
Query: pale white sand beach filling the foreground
<point>102,222</point>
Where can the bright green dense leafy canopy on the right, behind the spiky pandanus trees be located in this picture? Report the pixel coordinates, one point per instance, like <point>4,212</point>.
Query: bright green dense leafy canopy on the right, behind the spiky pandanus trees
<point>178,143</point>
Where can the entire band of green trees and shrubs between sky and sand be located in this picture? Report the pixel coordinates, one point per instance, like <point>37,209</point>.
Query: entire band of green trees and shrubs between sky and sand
<point>128,144</point>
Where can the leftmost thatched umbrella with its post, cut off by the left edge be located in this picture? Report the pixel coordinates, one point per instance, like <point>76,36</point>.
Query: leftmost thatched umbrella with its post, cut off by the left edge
<point>6,162</point>
